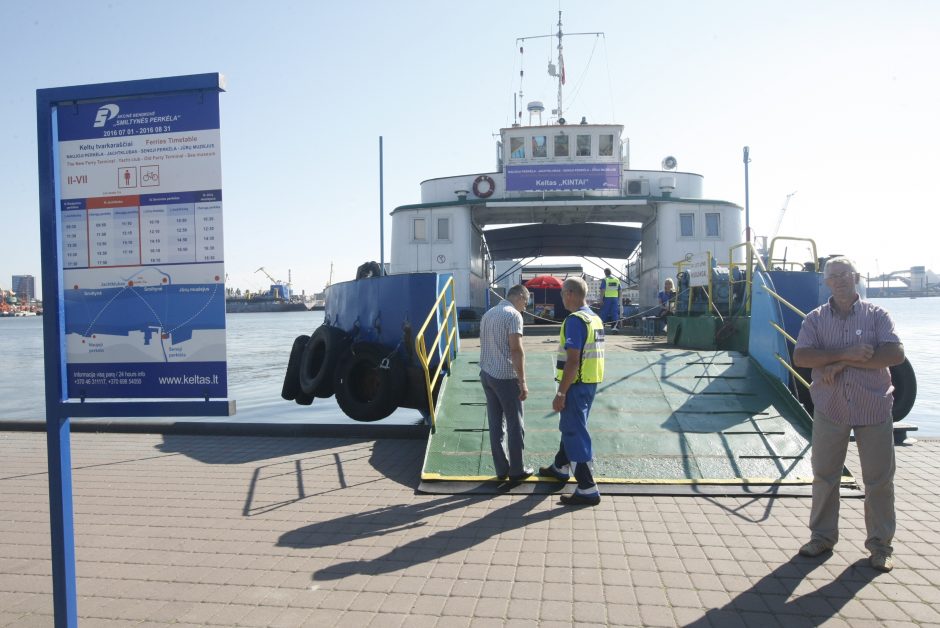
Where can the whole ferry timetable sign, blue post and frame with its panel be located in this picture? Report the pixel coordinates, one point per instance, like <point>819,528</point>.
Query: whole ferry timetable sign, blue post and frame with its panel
<point>132,268</point>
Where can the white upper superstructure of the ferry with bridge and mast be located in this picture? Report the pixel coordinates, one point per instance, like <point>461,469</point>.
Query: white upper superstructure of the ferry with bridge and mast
<point>567,190</point>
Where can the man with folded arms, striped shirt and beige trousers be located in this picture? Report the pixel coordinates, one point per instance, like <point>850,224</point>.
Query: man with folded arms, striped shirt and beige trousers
<point>850,343</point>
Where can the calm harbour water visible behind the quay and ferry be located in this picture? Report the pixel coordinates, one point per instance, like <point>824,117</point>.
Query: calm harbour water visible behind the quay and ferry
<point>259,346</point>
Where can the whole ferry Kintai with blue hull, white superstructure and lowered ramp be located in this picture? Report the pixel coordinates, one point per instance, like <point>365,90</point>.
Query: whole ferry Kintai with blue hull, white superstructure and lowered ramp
<point>714,404</point>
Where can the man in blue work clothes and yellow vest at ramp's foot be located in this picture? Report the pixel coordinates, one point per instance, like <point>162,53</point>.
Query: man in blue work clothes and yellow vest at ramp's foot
<point>579,369</point>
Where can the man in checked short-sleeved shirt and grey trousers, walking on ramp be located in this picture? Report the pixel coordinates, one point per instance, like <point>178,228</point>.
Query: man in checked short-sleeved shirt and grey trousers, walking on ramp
<point>502,373</point>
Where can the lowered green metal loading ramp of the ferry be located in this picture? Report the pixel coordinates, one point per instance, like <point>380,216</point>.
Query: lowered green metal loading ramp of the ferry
<point>664,422</point>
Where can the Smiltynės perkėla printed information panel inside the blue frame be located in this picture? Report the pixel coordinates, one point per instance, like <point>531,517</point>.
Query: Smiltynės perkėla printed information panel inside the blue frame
<point>140,230</point>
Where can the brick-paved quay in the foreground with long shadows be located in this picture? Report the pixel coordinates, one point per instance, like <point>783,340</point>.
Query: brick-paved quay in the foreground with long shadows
<point>264,531</point>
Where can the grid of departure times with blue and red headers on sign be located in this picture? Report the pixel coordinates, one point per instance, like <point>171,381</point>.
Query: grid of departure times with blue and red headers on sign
<point>139,230</point>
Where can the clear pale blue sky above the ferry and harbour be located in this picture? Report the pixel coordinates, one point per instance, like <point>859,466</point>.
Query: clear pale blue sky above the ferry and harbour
<point>839,101</point>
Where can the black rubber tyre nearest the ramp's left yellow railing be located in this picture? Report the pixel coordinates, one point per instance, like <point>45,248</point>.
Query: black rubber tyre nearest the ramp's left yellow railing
<point>364,390</point>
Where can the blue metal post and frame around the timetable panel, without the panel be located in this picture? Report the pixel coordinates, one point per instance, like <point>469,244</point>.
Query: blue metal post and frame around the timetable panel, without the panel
<point>59,408</point>
